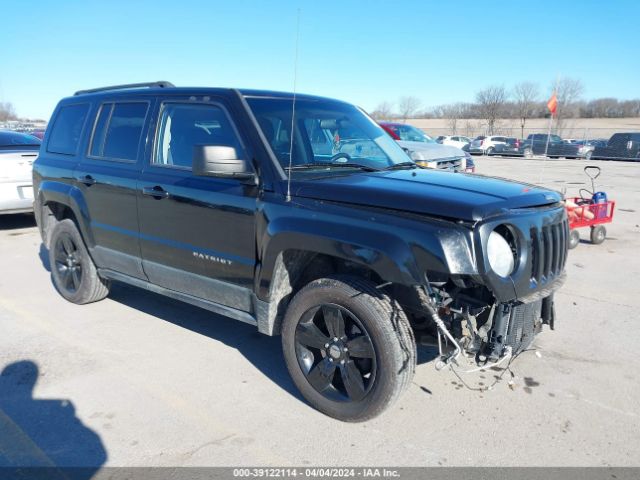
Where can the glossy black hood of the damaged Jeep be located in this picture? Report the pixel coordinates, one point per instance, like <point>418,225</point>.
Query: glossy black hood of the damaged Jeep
<point>427,191</point>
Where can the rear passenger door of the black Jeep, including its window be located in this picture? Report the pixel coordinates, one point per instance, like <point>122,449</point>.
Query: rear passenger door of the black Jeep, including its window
<point>107,176</point>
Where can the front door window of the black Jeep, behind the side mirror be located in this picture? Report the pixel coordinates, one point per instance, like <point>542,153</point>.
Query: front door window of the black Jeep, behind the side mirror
<point>183,126</point>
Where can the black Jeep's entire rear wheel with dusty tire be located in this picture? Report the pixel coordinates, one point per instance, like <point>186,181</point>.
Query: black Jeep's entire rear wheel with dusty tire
<point>72,270</point>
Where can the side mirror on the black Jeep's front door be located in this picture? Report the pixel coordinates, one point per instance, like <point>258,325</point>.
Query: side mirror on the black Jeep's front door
<point>220,161</point>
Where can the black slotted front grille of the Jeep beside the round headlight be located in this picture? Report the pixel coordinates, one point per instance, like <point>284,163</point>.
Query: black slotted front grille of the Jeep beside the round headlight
<point>549,247</point>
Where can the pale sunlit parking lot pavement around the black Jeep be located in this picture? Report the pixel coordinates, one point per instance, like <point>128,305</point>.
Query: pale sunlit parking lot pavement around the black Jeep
<point>139,379</point>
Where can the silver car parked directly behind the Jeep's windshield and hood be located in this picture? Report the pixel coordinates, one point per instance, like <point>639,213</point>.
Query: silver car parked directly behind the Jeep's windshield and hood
<point>424,150</point>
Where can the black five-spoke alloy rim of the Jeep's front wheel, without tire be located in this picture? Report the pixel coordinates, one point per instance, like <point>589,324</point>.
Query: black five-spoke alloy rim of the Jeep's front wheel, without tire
<point>335,353</point>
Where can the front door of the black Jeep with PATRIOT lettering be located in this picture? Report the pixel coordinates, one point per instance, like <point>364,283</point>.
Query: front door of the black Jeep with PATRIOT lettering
<point>197,234</point>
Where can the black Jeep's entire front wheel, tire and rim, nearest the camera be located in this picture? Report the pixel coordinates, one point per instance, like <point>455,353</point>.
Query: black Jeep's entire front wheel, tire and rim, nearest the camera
<point>348,347</point>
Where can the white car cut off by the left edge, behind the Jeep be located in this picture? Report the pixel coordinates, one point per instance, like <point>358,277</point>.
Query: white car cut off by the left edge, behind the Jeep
<point>17,153</point>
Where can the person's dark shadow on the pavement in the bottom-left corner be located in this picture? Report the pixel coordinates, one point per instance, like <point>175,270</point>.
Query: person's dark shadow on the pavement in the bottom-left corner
<point>46,433</point>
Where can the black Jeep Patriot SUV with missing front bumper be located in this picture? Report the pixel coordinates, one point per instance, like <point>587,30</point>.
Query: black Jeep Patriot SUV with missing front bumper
<point>301,216</point>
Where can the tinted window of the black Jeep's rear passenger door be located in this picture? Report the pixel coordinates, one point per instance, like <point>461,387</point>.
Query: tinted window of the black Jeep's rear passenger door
<point>118,130</point>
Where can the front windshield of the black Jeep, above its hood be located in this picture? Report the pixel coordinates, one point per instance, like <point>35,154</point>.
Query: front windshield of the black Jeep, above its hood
<point>325,132</point>
